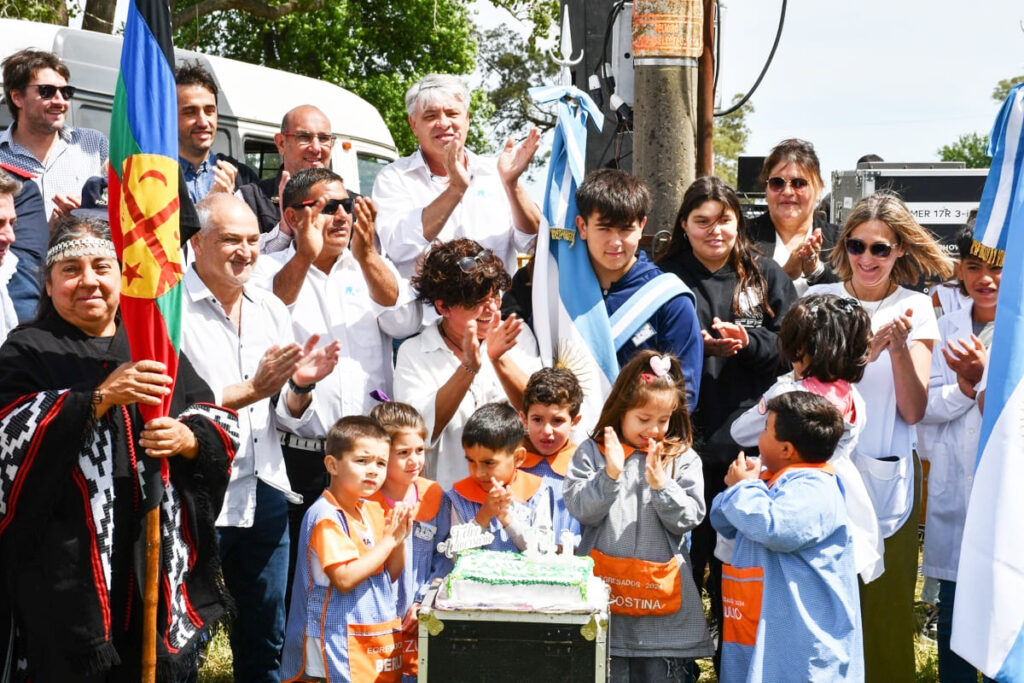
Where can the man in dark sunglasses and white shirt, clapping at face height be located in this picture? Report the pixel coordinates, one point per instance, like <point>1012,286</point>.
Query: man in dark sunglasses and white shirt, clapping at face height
<point>336,285</point>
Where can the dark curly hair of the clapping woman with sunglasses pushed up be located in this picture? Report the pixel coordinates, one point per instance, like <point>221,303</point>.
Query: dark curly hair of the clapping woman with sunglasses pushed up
<point>440,278</point>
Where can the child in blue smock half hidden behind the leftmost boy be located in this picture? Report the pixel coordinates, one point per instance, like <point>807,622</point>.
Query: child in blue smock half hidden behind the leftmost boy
<point>423,498</point>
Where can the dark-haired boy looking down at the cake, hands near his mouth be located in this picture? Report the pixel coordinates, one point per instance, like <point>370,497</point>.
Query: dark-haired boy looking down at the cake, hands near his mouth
<point>497,495</point>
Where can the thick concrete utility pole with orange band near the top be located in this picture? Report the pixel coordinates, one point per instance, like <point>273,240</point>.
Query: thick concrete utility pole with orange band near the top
<point>667,40</point>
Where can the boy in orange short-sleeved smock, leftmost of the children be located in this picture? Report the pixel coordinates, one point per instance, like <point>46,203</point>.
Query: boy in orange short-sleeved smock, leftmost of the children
<point>344,624</point>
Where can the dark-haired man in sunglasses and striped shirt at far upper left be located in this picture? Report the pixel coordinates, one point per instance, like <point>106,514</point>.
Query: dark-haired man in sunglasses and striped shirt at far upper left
<point>40,142</point>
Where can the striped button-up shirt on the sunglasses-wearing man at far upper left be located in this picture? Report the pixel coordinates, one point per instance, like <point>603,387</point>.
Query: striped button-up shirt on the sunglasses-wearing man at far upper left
<point>77,155</point>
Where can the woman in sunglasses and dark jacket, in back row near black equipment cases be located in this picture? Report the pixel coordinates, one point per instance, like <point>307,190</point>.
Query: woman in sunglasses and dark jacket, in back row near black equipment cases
<point>791,232</point>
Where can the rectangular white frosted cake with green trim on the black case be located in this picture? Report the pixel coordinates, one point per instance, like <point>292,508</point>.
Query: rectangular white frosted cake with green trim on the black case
<point>514,581</point>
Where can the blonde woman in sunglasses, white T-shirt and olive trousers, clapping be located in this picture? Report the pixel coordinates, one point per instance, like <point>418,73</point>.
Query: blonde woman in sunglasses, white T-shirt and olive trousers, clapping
<point>884,250</point>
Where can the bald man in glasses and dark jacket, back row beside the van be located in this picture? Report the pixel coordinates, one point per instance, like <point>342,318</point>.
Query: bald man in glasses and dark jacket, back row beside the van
<point>306,142</point>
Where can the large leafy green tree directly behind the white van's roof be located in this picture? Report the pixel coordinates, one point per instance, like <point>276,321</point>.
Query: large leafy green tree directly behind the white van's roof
<point>375,50</point>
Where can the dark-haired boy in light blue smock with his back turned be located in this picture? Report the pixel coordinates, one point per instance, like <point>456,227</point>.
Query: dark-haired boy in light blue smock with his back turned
<point>791,606</point>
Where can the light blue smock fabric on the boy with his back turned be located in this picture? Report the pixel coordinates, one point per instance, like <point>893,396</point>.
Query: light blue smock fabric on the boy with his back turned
<point>809,625</point>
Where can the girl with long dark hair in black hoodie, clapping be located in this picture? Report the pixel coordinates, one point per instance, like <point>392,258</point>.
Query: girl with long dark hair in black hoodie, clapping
<point>742,298</point>
